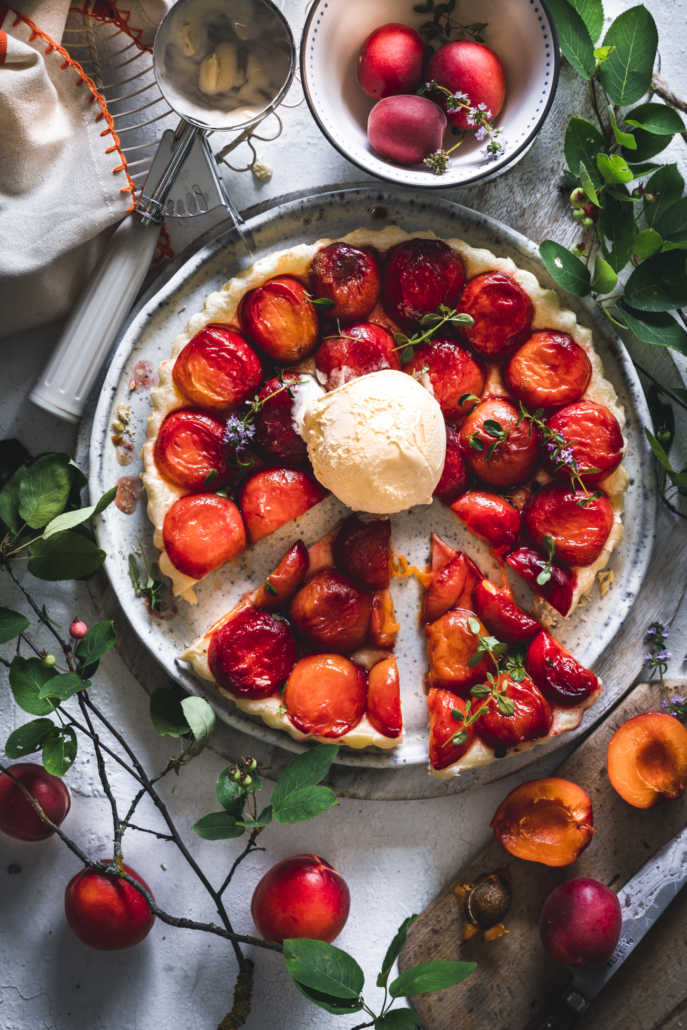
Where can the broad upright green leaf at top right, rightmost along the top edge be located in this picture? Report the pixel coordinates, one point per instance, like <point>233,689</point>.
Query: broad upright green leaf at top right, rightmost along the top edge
<point>627,75</point>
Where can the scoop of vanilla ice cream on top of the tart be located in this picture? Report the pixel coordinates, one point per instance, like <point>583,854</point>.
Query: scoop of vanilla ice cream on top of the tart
<point>377,443</point>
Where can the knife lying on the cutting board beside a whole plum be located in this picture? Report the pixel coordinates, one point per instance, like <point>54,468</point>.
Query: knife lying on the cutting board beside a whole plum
<point>642,902</point>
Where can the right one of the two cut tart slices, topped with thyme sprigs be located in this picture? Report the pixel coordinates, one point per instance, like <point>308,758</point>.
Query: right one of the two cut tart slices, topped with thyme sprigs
<point>499,683</point>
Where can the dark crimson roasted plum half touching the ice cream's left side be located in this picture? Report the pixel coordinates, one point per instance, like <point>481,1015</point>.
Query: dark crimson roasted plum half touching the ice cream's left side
<point>277,439</point>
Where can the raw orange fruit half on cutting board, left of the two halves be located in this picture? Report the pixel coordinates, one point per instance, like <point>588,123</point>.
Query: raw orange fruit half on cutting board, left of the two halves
<point>548,821</point>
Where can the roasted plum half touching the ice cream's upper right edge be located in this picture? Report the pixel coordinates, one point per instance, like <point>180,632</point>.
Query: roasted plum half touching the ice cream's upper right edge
<point>454,372</point>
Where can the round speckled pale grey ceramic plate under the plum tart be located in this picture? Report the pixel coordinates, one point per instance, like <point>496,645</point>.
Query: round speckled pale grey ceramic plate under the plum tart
<point>149,337</point>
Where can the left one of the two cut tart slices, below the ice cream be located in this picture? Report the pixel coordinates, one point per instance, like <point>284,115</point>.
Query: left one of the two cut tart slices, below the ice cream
<point>311,651</point>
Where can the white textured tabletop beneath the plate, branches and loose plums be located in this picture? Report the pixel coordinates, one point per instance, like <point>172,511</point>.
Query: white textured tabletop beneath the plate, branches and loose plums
<point>395,856</point>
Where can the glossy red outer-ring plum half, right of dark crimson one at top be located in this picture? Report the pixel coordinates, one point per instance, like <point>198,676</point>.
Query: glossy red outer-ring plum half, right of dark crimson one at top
<point>502,314</point>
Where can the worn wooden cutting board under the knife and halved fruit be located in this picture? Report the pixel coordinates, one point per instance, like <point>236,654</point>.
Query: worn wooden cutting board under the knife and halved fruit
<point>516,978</point>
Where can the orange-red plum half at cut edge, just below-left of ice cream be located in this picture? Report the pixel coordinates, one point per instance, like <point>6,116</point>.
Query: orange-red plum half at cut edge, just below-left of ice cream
<point>273,497</point>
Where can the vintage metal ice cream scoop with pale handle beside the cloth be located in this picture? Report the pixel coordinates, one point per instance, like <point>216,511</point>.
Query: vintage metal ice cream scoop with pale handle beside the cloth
<point>222,65</point>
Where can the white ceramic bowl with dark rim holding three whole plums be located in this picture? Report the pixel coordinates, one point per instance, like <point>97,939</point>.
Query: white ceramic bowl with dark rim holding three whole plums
<point>523,35</point>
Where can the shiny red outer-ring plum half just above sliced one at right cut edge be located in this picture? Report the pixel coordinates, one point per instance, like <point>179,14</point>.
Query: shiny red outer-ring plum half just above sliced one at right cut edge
<point>579,526</point>
